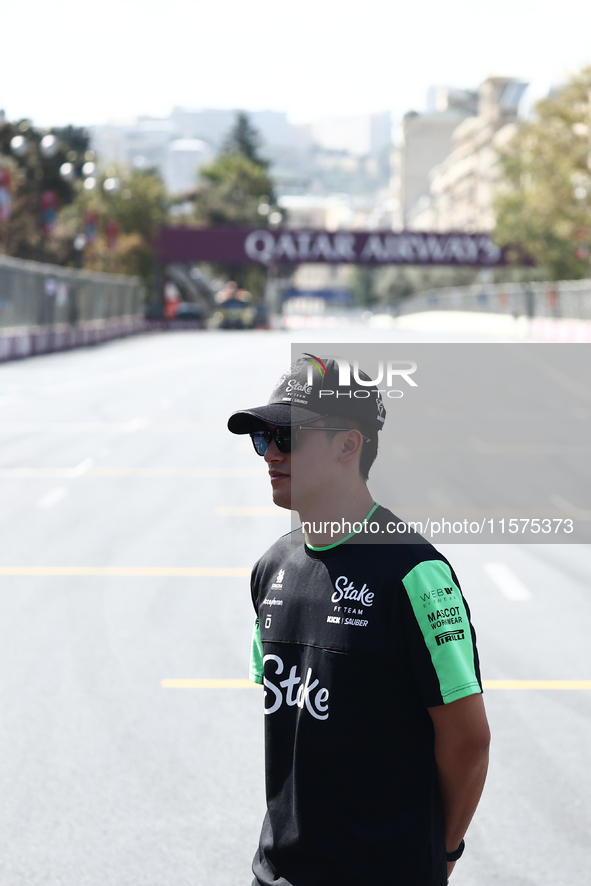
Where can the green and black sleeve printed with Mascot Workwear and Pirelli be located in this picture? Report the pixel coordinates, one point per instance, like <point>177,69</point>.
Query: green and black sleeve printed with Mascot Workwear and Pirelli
<point>446,658</point>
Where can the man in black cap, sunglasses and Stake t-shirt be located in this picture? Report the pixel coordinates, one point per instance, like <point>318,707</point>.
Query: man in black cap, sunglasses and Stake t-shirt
<point>376,739</point>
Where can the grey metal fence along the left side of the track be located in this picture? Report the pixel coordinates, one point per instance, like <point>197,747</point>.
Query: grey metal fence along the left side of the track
<point>47,308</point>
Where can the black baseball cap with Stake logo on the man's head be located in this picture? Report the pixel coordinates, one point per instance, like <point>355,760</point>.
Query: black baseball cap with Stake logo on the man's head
<point>310,390</point>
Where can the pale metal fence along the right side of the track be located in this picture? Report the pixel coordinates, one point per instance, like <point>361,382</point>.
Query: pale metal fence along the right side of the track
<point>566,299</point>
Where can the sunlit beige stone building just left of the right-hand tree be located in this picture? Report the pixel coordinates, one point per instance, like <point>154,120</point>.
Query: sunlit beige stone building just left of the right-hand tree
<point>462,186</point>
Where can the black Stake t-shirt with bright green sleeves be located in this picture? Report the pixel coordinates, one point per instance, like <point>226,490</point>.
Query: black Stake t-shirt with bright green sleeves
<point>353,643</point>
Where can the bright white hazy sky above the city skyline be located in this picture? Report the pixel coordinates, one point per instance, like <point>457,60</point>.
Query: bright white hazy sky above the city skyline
<point>68,61</point>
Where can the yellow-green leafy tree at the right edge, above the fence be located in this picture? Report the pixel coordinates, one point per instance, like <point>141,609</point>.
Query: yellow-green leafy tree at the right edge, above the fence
<point>544,204</point>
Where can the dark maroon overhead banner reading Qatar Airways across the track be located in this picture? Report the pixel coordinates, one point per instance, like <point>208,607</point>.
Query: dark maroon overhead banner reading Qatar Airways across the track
<point>285,246</point>
